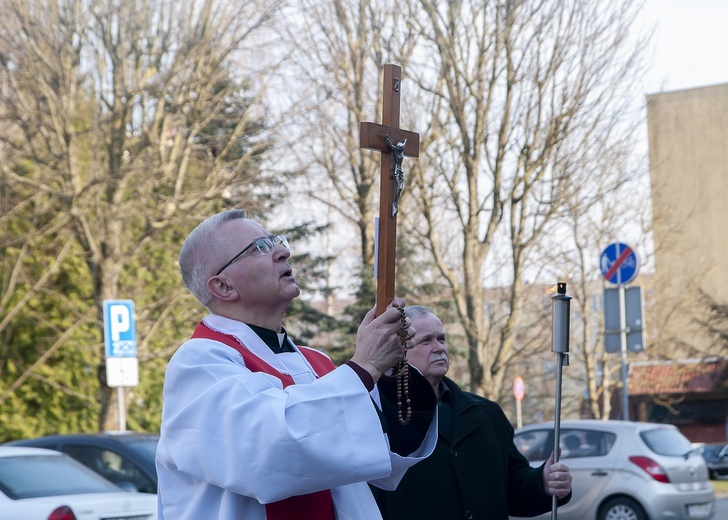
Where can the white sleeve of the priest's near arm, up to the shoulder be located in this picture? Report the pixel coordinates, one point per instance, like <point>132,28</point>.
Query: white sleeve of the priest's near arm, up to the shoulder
<point>241,431</point>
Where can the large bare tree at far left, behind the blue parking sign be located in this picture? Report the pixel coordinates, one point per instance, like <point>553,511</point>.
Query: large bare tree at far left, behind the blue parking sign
<point>122,119</point>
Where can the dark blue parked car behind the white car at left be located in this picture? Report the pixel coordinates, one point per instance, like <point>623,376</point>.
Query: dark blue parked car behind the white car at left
<point>124,458</point>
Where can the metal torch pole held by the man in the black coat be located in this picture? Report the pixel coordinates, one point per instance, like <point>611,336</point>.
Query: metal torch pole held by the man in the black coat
<point>560,345</point>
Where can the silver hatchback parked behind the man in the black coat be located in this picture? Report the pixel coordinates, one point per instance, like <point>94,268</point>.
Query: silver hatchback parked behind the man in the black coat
<point>626,470</point>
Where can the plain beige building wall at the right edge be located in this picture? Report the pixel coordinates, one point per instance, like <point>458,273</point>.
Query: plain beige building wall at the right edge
<point>688,153</point>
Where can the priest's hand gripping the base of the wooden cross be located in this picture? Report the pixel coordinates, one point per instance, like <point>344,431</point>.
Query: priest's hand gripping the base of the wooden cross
<point>378,344</point>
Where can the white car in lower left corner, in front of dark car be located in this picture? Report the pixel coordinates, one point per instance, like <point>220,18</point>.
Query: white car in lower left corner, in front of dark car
<point>40,484</point>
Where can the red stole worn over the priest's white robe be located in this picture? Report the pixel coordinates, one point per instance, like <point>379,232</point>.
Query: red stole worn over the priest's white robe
<point>314,506</point>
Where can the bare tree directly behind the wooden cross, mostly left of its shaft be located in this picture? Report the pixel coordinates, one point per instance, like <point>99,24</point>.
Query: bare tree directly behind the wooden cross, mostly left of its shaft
<point>341,48</point>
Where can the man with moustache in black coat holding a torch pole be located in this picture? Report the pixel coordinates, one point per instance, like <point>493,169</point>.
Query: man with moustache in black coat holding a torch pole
<point>475,472</point>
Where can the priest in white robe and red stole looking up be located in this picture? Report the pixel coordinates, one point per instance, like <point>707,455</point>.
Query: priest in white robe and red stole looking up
<point>256,427</point>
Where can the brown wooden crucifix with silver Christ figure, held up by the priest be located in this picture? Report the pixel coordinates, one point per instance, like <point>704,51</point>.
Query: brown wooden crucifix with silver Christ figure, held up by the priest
<point>394,143</point>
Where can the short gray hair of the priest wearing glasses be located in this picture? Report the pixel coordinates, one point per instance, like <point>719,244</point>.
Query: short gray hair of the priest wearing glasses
<point>198,252</point>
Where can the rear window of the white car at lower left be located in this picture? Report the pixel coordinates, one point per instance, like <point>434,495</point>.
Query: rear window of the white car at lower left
<point>29,476</point>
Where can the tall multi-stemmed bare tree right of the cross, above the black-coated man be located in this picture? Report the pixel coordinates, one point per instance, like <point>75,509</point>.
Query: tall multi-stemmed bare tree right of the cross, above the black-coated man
<point>526,93</point>
